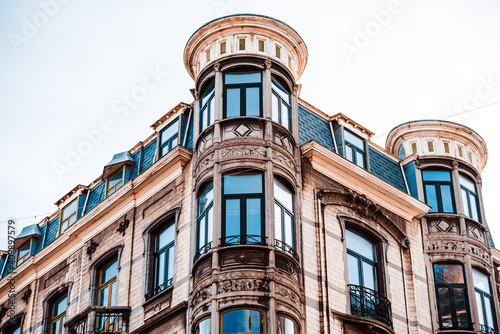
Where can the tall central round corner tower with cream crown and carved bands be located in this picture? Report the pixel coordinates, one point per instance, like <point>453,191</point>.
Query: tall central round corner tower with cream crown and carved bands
<point>246,170</point>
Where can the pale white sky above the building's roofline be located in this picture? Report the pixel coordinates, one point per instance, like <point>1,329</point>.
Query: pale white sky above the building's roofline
<point>427,60</point>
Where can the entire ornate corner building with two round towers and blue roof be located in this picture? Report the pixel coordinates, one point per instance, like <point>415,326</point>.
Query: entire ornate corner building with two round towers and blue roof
<point>251,211</point>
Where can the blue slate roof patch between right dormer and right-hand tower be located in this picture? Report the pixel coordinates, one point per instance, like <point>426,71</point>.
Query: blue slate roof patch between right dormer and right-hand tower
<point>386,169</point>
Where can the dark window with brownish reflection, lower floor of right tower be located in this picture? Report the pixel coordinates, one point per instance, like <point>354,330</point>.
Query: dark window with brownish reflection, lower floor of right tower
<point>451,295</point>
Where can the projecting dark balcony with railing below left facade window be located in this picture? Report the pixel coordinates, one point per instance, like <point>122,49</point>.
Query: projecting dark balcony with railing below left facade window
<point>98,319</point>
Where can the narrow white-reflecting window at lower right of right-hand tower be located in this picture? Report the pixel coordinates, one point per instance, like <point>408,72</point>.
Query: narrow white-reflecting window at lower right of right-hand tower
<point>484,302</point>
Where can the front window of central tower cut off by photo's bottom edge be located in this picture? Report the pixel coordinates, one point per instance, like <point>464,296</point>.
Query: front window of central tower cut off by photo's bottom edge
<point>243,321</point>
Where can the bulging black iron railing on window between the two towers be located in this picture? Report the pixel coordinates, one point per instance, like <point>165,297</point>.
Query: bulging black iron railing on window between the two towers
<point>370,304</point>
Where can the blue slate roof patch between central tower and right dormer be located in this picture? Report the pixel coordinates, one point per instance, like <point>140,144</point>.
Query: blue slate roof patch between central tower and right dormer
<point>314,127</point>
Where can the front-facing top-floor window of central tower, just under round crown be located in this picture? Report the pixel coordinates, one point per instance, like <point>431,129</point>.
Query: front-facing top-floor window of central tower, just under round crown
<point>242,94</point>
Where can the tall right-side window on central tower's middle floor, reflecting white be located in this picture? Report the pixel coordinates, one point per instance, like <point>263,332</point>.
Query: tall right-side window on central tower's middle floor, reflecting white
<point>284,222</point>
